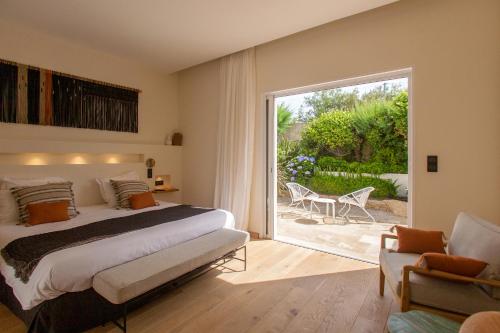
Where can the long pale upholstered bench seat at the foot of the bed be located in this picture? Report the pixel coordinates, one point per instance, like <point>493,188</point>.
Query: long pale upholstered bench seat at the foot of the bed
<point>124,282</point>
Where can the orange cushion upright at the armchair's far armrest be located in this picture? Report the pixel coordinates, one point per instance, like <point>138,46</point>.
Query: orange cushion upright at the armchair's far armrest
<point>419,241</point>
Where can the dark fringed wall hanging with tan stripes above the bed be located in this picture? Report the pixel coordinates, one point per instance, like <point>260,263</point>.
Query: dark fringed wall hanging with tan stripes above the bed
<point>30,95</point>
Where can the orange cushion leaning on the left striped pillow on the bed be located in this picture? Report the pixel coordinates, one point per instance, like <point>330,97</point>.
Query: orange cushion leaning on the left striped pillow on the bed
<point>47,212</point>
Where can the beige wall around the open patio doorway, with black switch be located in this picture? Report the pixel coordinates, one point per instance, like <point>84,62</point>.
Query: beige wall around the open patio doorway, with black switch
<point>452,46</point>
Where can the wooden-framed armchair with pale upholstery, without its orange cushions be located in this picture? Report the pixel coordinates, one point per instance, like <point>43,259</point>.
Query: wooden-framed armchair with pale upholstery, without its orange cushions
<point>449,295</point>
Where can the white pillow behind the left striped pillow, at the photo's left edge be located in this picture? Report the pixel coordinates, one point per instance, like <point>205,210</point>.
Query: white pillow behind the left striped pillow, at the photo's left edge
<point>8,206</point>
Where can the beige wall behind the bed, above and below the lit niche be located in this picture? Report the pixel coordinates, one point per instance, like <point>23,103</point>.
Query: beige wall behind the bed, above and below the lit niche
<point>158,111</point>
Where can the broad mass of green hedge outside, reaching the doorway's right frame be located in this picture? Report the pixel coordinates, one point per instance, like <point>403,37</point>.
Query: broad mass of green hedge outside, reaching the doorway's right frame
<point>373,134</point>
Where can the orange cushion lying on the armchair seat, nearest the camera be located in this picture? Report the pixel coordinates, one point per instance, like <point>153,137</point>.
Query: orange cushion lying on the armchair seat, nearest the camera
<point>451,264</point>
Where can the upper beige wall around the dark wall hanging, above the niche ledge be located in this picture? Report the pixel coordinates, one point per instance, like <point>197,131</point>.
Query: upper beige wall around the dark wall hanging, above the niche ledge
<point>158,111</point>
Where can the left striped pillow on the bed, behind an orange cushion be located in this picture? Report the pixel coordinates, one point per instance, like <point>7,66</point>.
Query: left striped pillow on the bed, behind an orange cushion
<point>26,195</point>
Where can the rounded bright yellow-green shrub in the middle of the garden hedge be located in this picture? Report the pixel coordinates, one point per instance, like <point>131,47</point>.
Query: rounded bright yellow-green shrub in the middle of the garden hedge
<point>332,133</point>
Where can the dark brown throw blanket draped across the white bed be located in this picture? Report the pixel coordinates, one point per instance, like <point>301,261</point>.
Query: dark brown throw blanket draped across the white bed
<point>25,253</point>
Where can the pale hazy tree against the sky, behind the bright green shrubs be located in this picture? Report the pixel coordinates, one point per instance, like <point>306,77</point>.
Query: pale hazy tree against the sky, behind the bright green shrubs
<point>328,100</point>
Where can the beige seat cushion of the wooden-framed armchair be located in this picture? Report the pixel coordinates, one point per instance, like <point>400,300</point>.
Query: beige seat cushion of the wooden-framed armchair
<point>465,298</point>
